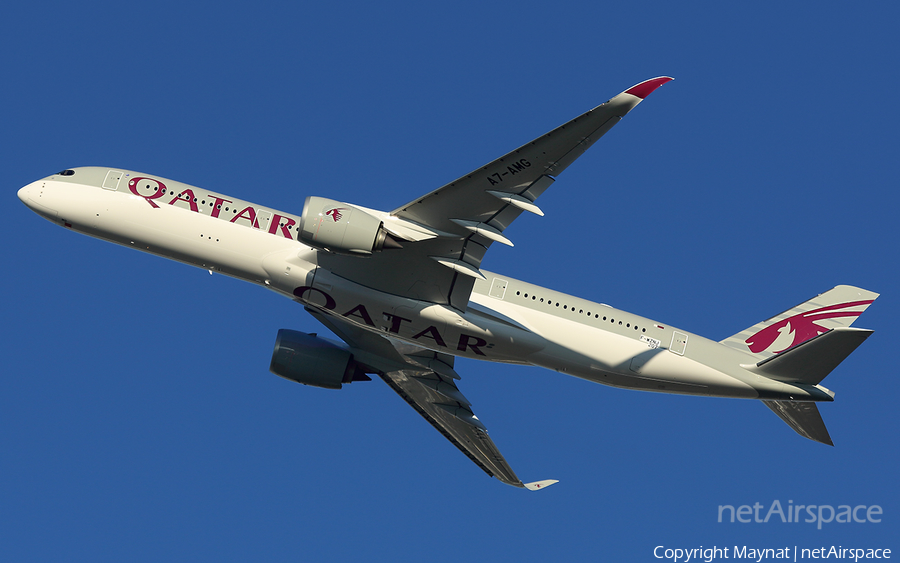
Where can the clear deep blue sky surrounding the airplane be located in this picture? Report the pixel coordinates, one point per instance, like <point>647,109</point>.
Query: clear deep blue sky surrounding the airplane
<point>138,419</point>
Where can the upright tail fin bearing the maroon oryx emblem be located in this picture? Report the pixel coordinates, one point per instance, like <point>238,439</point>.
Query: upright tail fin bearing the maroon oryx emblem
<point>835,308</point>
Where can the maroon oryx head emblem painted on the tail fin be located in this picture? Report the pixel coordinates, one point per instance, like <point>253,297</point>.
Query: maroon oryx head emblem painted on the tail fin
<point>799,328</point>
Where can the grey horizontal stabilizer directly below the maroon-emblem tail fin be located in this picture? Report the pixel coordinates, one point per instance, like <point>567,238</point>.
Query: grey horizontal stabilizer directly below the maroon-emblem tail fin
<point>811,361</point>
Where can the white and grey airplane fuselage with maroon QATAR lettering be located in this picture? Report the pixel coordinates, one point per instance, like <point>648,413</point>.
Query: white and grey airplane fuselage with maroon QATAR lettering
<point>506,320</point>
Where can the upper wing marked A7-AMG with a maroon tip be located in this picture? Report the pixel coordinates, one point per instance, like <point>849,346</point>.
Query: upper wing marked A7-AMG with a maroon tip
<point>448,231</point>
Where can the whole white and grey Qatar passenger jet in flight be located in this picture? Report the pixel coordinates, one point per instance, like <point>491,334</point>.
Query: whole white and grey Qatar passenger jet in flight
<point>405,292</point>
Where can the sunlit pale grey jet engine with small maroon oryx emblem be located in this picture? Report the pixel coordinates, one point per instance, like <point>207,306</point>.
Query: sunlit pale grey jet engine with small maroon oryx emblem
<point>337,227</point>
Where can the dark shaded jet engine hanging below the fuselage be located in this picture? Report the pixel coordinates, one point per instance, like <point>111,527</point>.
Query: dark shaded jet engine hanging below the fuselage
<point>310,360</point>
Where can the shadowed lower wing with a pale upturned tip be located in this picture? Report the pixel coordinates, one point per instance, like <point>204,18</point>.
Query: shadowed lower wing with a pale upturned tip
<point>425,380</point>
